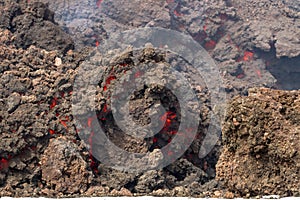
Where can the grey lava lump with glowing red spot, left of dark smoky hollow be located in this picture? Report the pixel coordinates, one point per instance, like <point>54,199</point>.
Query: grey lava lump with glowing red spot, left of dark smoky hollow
<point>241,69</point>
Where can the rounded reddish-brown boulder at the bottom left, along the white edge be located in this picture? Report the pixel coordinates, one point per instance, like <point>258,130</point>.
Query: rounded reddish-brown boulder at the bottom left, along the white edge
<point>63,168</point>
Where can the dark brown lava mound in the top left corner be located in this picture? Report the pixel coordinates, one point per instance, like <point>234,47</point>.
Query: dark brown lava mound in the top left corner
<point>33,24</point>
